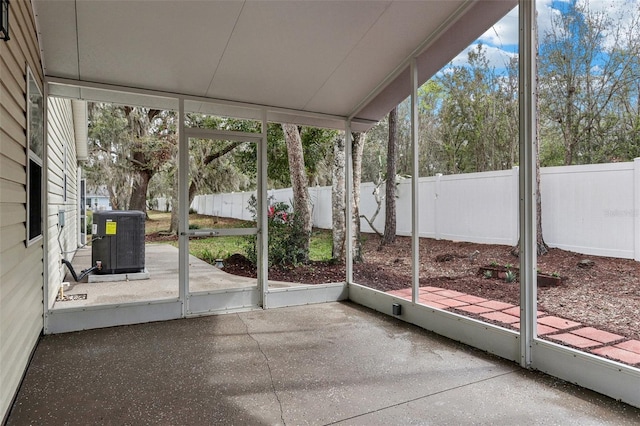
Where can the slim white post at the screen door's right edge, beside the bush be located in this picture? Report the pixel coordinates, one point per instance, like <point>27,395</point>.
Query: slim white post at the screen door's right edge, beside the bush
<point>263,228</point>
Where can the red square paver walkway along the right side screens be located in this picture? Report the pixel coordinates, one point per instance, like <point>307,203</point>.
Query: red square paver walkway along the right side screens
<point>553,328</point>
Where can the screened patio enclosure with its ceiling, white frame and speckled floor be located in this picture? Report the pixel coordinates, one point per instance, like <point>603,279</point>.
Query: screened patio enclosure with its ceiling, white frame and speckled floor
<point>335,353</point>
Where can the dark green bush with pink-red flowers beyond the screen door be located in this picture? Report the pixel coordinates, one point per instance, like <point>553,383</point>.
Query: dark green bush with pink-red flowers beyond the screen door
<point>286,236</point>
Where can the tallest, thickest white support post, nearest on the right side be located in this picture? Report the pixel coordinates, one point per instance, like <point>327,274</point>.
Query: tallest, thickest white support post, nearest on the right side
<point>527,132</point>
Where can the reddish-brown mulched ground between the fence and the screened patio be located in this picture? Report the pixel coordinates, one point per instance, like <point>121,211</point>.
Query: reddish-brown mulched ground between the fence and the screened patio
<point>604,294</point>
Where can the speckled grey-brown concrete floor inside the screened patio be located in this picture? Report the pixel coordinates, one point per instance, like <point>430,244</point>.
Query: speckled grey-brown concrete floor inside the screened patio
<point>334,363</point>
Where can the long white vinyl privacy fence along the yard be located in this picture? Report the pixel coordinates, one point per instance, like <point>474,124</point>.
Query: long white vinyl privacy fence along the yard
<point>593,209</point>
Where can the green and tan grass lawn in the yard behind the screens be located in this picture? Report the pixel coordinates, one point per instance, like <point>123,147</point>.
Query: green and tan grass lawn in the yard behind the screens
<point>209,249</point>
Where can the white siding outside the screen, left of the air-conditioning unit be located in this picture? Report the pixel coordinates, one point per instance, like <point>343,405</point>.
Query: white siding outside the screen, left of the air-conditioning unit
<point>61,142</point>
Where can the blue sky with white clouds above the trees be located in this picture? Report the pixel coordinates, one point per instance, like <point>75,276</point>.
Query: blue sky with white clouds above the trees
<point>501,40</point>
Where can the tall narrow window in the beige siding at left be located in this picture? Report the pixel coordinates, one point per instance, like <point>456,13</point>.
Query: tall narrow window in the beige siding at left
<point>35,143</point>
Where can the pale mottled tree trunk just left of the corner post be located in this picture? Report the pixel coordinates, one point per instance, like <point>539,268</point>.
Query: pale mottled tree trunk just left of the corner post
<point>338,200</point>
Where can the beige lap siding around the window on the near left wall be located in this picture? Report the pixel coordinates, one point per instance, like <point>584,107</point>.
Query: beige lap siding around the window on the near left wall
<point>21,267</point>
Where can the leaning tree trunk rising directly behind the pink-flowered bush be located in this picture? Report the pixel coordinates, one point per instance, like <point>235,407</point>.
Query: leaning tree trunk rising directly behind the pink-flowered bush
<point>298,174</point>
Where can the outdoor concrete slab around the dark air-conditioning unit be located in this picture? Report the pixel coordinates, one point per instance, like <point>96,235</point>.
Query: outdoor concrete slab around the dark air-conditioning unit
<point>161,261</point>
